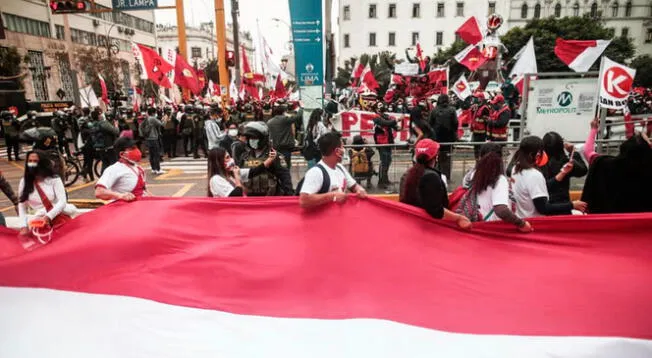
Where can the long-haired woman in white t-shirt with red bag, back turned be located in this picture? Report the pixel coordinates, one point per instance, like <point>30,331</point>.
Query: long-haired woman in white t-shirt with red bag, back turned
<point>487,196</point>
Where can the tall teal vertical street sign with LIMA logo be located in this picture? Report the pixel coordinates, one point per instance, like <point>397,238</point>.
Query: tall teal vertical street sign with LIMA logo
<point>307,34</point>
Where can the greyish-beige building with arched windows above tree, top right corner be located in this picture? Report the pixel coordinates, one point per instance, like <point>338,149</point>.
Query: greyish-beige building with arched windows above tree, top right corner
<point>632,18</point>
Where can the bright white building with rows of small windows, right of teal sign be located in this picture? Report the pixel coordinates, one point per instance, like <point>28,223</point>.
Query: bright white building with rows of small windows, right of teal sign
<point>392,25</point>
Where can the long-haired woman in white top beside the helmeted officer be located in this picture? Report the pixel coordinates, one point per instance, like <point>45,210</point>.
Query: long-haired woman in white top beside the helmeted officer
<point>226,178</point>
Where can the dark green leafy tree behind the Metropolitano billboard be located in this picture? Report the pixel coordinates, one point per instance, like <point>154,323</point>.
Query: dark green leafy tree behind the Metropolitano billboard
<point>546,31</point>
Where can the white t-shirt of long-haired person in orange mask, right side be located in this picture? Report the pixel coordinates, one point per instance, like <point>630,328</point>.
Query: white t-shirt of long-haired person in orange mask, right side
<point>528,185</point>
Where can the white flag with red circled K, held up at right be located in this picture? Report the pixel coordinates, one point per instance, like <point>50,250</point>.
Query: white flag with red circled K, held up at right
<point>615,83</point>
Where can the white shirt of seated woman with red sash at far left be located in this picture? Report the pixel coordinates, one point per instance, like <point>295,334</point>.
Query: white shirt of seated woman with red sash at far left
<point>53,189</point>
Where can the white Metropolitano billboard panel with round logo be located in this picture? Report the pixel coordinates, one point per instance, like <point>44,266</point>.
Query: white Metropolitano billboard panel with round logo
<point>563,105</point>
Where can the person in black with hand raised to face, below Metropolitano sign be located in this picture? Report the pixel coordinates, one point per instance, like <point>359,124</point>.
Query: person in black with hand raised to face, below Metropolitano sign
<point>558,177</point>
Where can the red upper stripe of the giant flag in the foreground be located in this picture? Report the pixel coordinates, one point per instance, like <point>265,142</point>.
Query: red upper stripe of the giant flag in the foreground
<point>574,276</point>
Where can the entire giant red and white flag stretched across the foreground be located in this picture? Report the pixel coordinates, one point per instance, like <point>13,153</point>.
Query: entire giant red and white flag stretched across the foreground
<point>191,278</point>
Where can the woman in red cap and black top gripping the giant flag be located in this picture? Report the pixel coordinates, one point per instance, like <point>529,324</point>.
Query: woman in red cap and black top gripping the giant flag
<point>424,187</point>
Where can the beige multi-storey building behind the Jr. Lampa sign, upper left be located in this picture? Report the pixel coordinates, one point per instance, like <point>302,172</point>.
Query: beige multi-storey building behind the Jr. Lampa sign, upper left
<point>43,38</point>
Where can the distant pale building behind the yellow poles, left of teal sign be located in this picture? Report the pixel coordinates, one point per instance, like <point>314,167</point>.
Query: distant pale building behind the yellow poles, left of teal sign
<point>202,45</point>
